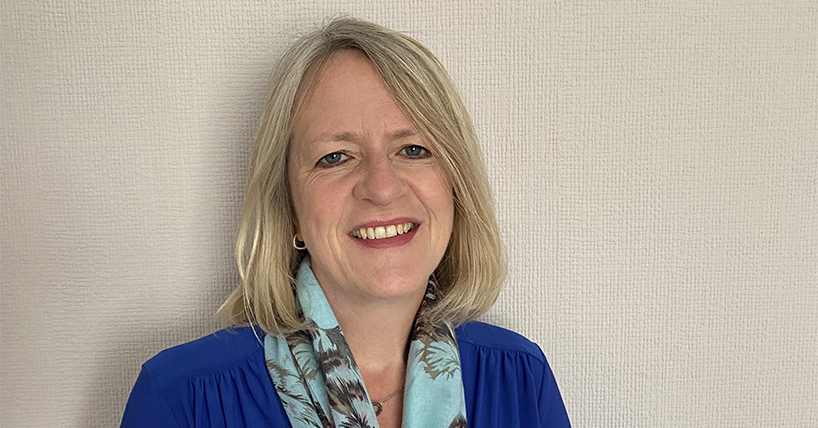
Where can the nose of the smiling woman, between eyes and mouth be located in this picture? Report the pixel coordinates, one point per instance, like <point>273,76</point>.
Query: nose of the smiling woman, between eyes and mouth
<point>380,181</point>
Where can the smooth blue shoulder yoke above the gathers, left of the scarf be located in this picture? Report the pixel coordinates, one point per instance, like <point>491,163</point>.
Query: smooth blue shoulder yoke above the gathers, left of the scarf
<point>208,355</point>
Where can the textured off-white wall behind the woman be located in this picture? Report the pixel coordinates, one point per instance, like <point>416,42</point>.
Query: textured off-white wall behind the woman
<point>655,164</point>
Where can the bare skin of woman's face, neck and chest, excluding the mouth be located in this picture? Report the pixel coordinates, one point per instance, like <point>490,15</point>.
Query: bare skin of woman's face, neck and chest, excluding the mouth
<point>356,158</point>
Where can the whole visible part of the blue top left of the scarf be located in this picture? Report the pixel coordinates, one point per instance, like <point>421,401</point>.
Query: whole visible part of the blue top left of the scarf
<point>222,376</point>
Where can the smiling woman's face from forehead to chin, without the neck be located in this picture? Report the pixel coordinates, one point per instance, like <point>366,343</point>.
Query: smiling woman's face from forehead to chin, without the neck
<point>357,166</point>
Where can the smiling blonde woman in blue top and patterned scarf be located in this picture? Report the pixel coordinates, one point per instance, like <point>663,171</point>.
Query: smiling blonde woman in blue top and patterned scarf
<point>368,212</point>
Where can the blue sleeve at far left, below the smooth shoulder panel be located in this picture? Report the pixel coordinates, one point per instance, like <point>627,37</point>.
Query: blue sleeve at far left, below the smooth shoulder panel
<point>147,405</point>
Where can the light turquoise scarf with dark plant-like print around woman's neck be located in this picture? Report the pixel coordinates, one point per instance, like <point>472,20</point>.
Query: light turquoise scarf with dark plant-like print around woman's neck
<point>319,383</point>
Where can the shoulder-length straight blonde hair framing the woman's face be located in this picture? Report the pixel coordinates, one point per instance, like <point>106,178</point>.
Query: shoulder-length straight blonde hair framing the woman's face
<point>473,266</point>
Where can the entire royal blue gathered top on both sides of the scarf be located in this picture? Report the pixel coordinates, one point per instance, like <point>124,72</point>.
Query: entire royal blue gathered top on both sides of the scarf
<point>221,380</point>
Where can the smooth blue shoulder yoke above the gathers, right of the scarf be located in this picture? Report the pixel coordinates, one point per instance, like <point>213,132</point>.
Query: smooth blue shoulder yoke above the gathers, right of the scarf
<point>477,336</point>
